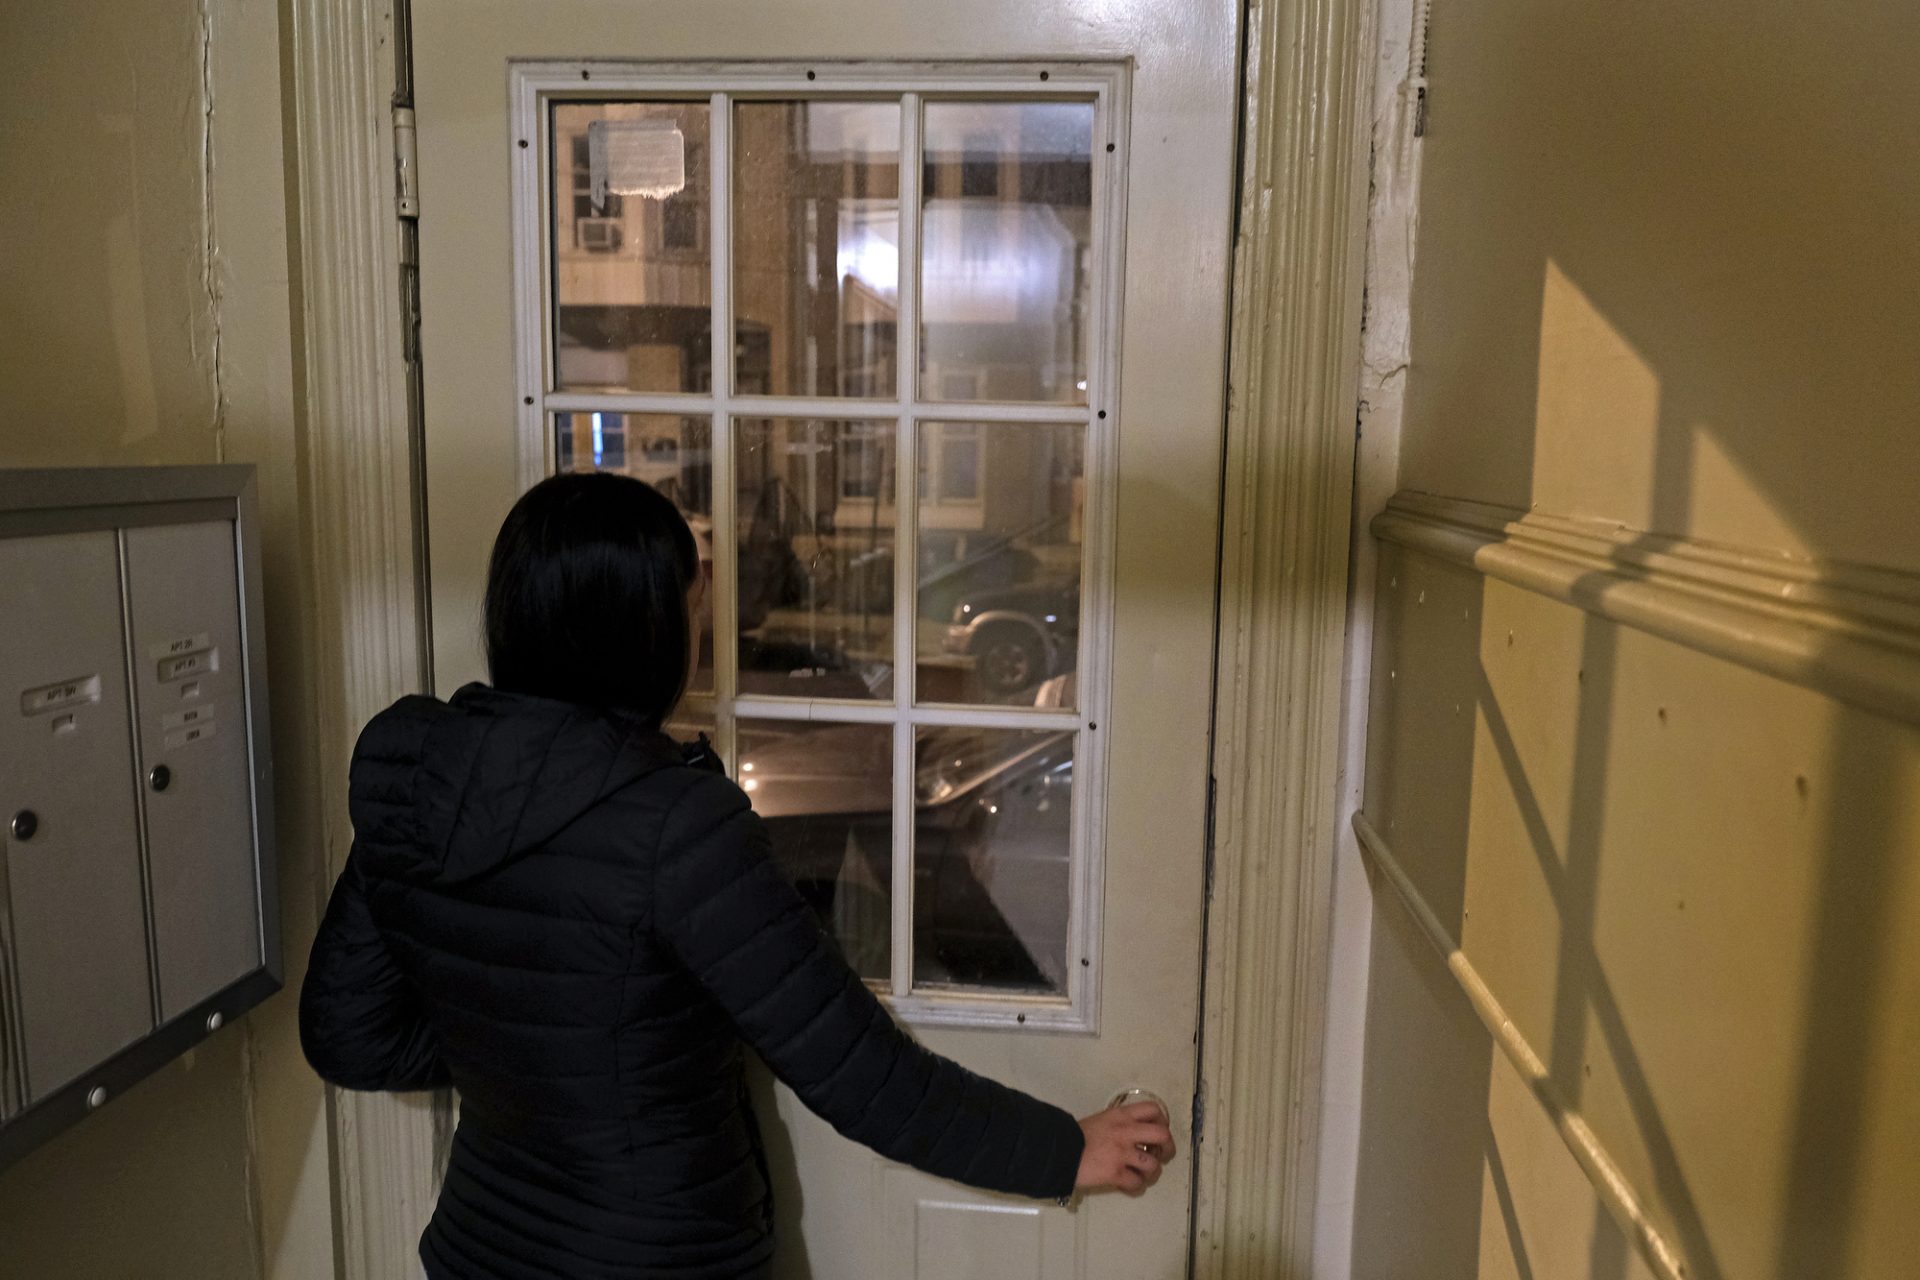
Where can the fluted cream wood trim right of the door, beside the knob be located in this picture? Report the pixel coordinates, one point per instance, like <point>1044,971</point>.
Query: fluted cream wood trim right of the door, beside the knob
<point>1285,540</point>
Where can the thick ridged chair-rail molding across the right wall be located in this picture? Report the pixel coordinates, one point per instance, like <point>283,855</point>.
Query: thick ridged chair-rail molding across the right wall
<point>1846,630</point>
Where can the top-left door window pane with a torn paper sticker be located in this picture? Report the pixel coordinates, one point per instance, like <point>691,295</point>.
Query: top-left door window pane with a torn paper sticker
<point>633,258</point>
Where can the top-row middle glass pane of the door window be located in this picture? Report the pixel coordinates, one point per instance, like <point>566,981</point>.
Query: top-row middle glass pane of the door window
<point>817,247</point>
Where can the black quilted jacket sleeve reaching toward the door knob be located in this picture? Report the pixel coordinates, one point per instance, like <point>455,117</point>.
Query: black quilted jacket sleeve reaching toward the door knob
<point>748,937</point>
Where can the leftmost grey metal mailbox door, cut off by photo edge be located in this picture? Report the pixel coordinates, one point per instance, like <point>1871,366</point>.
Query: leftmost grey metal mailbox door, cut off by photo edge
<point>68,803</point>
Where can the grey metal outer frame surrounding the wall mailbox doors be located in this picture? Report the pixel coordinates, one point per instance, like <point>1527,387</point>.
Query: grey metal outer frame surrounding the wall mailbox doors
<point>84,500</point>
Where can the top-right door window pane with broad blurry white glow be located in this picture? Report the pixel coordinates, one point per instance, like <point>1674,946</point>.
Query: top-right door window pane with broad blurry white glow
<point>1007,233</point>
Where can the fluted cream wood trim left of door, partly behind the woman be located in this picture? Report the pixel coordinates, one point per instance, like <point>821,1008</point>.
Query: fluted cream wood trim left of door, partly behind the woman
<point>360,538</point>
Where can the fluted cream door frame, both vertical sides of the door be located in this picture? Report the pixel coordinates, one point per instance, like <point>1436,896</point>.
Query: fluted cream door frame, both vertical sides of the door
<point>1287,513</point>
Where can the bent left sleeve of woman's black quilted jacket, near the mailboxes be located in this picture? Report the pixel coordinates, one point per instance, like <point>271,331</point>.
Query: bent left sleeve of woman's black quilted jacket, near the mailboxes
<point>358,1018</point>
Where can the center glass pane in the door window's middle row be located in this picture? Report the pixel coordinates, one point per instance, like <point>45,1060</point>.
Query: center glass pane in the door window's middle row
<point>815,519</point>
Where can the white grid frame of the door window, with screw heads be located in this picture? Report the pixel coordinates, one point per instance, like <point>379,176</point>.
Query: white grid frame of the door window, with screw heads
<point>533,89</point>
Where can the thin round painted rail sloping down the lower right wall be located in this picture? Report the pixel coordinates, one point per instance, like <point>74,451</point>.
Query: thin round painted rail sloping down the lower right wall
<point>1610,1185</point>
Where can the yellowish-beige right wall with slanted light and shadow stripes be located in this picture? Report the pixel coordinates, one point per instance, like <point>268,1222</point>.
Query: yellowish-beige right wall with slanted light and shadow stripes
<point>1666,279</point>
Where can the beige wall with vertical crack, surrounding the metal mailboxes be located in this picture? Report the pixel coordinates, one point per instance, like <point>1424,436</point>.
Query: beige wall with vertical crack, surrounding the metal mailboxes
<point>147,318</point>
